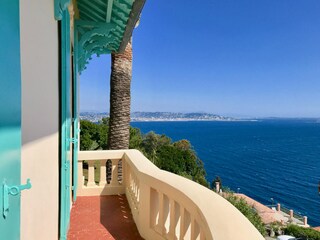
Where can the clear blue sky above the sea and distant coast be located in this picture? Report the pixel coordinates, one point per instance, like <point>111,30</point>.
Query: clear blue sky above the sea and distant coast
<point>240,58</point>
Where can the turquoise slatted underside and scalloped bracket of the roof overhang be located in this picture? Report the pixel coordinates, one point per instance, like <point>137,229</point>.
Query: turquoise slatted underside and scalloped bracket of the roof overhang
<point>102,26</point>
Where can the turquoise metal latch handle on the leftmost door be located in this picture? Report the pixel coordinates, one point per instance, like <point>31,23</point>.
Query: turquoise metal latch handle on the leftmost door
<point>12,190</point>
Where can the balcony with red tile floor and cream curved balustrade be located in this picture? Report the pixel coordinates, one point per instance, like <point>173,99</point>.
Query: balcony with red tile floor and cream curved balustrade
<point>163,205</point>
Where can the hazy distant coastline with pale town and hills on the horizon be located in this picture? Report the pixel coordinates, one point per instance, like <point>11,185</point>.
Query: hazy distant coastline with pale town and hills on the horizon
<point>160,116</point>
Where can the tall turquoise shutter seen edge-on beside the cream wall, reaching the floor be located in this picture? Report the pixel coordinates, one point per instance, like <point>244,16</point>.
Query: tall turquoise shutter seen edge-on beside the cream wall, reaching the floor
<point>65,125</point>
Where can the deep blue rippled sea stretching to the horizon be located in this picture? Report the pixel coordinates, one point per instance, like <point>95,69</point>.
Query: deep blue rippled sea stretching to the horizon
<point>277,159</point>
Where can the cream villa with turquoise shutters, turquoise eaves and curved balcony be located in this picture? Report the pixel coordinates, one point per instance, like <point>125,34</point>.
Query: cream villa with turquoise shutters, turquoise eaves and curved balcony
<point>122,194</point>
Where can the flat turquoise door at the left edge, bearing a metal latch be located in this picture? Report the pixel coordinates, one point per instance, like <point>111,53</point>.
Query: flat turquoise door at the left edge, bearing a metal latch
<point>10,119</point>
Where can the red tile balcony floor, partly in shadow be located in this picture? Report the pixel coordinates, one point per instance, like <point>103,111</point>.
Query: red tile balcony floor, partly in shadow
<point>102,217</point>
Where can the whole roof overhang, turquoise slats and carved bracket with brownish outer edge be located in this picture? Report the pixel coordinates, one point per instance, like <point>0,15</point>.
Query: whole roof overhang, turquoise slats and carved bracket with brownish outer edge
<point>101,26</point>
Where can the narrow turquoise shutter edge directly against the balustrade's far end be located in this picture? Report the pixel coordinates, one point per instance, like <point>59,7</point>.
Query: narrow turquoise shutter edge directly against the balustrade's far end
<point>76,117</point>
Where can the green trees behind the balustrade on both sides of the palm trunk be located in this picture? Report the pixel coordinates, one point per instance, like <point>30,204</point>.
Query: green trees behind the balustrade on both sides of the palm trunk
<point>177,157</point>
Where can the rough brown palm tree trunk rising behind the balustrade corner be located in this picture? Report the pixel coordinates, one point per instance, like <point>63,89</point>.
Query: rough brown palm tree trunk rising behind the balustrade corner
<point>120,99</point>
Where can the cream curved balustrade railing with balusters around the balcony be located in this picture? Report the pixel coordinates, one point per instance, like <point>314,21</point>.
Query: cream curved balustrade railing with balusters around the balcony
<point>164,205</point>
